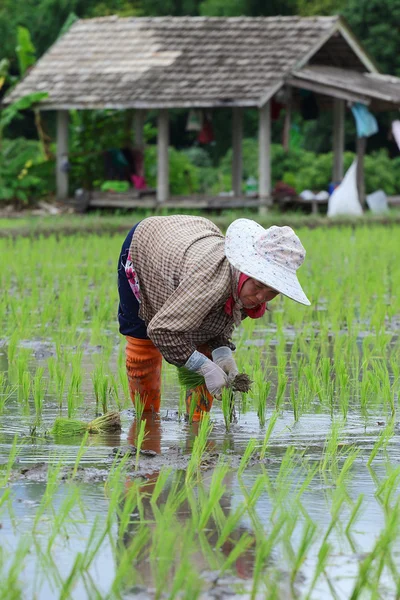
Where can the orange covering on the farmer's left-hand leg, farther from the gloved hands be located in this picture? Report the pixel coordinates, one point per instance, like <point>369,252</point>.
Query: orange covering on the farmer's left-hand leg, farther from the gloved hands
<point>143,367</point>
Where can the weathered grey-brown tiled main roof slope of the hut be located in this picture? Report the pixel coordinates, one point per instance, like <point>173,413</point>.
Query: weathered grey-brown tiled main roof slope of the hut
<point>172,61</point>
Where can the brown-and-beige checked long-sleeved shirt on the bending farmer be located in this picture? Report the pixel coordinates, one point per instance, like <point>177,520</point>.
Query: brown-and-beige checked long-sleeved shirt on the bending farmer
<point>185,280</point>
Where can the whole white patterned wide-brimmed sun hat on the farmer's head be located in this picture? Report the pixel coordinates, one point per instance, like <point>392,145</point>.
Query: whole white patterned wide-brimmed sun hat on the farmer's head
<point>271,256</point>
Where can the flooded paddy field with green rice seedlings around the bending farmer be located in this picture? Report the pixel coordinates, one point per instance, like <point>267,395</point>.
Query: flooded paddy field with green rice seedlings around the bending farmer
<point>297,499</point>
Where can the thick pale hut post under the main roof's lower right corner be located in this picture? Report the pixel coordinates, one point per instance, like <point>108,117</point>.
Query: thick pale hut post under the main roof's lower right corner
<point>264,158</point>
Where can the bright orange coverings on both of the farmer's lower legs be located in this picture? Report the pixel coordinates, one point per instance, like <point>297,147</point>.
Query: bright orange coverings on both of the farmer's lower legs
<point>143,367</point>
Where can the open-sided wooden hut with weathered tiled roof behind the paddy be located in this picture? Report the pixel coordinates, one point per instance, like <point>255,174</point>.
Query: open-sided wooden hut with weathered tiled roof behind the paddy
<point>207,63</point>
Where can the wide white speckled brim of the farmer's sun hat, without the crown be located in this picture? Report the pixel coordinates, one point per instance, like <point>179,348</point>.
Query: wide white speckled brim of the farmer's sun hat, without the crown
<point>240,250</point>
